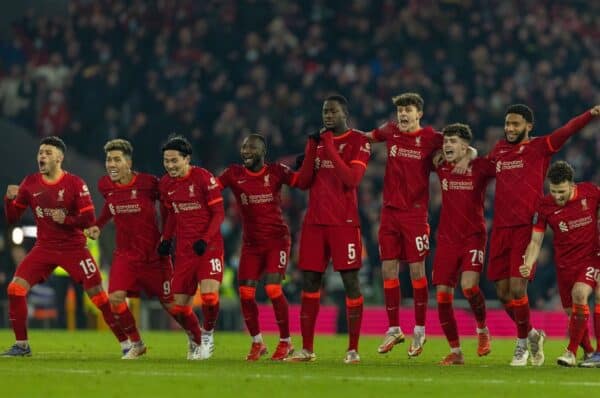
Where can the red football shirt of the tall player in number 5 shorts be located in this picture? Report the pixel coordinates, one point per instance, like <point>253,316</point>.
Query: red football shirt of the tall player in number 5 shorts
<point>330,201</point>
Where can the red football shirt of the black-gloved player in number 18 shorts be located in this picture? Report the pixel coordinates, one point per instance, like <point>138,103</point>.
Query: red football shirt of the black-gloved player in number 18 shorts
<point>189,199</point>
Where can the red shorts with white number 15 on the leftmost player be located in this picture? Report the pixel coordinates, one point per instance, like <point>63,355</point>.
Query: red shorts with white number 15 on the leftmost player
<point>39,263</point>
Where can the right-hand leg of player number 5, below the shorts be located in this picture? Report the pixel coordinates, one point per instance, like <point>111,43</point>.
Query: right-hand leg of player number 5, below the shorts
<point>354,312</point>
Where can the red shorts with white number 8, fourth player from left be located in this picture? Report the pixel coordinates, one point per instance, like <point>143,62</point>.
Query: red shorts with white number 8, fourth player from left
<point>269,257</point>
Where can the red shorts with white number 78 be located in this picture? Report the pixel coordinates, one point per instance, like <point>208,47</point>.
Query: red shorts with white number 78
<point>451,259</point>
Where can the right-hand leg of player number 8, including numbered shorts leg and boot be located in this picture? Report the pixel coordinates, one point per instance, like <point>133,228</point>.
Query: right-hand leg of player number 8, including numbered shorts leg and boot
<point>276,265</point>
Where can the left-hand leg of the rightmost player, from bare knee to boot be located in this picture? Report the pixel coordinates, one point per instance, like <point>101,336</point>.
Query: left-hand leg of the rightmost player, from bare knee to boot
<point>578,320</point>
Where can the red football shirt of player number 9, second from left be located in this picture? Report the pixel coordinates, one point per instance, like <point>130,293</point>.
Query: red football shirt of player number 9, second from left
<point>133,210</point>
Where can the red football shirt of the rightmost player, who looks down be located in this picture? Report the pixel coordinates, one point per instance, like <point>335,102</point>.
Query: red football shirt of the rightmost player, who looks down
<point>574,224</point>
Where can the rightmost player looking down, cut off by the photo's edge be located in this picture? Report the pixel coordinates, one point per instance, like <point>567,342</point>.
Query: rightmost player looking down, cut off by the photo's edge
<point>571,211</point>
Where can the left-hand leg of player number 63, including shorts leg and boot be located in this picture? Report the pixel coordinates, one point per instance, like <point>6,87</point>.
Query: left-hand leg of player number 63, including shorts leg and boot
<point>390,251</point>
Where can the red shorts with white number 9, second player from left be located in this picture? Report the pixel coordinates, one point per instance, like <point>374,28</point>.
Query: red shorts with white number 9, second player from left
<point>133,276</point>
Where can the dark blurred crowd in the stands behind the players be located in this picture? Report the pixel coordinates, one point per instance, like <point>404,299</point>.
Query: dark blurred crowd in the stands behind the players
<point>216,70</point>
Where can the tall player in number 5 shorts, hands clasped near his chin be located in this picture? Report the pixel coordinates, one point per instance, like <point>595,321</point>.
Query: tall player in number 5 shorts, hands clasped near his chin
<point>333,167</point>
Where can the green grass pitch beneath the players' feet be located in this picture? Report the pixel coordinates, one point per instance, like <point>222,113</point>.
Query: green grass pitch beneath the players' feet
<point>88,364</point>
